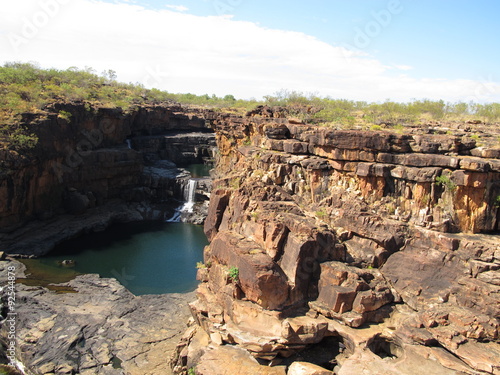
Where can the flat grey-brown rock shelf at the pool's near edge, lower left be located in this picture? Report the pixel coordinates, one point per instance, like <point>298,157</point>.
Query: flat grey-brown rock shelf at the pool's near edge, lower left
<point>101,328</point>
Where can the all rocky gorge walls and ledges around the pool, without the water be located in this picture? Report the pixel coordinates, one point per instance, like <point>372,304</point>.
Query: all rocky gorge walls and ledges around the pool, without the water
<point>330,250</point>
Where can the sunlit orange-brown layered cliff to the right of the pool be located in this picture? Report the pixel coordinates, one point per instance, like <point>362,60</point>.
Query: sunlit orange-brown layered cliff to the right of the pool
<point>356,251</point>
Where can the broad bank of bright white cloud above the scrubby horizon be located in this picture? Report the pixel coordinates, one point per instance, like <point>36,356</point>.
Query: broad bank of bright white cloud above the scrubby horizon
<point>180,52</point>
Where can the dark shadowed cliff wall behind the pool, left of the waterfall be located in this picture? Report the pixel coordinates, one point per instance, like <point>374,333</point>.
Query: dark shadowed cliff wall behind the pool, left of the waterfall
<point>94,166</point>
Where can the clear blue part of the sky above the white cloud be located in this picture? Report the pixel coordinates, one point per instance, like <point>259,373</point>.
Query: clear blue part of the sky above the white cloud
<point>440,38</point>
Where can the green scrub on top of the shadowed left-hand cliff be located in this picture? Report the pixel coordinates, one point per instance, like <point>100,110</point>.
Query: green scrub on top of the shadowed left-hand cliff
<point>26,88</point>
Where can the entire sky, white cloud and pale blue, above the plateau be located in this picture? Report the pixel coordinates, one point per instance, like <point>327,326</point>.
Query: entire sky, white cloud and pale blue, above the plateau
<point>368,50</point>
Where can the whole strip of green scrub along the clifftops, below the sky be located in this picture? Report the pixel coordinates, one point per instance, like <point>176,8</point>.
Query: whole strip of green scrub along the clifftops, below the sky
<point>26,88</point>
